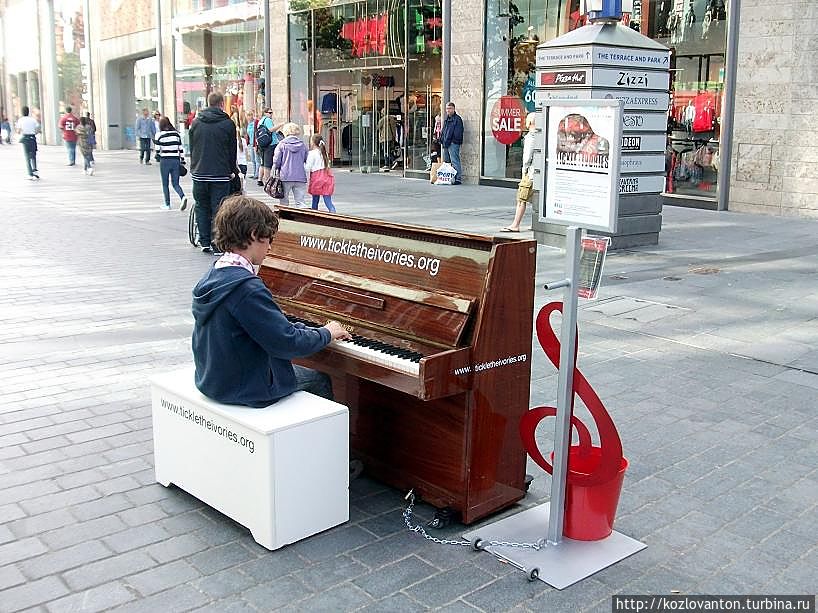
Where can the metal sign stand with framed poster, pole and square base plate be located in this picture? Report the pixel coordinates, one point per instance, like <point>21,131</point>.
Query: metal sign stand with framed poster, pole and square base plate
<point>580,192</point>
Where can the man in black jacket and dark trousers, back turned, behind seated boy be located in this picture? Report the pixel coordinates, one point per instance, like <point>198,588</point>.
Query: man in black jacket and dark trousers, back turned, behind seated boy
<point>212,163</point>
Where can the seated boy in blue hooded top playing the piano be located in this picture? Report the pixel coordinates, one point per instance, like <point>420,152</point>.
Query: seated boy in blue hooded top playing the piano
<point>242,342</point>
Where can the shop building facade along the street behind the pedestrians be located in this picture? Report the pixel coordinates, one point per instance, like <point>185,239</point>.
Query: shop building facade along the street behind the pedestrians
<point>367,74</point>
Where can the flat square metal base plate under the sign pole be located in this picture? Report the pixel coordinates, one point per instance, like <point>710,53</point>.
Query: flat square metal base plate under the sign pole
<point>559,565</point>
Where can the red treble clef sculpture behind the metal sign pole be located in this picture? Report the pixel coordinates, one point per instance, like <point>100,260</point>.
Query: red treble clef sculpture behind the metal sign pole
<point>599,465</point>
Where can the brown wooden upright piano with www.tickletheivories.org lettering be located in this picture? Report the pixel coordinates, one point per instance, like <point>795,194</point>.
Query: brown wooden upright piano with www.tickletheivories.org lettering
<point>437,375</point>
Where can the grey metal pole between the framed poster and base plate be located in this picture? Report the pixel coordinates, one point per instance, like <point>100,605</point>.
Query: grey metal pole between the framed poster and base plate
<point>565,385</point>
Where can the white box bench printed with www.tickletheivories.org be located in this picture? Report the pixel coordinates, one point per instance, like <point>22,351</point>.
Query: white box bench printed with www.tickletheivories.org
<point>281,471</point>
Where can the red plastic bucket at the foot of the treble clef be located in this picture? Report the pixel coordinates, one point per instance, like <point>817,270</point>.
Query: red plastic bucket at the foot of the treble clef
<point>590,509</point>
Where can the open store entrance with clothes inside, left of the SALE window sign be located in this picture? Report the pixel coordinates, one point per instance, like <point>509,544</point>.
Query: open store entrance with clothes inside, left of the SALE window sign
<point>361,115</point>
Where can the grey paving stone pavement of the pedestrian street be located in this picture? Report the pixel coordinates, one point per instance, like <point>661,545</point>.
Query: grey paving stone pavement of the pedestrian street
<point>703,348</point>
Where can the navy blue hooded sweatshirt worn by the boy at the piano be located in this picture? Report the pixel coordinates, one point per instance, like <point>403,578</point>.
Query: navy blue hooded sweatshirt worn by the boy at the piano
<point>243,343</point>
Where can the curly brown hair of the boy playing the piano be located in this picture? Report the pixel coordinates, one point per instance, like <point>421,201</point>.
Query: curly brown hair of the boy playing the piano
<point>241,219</point>
